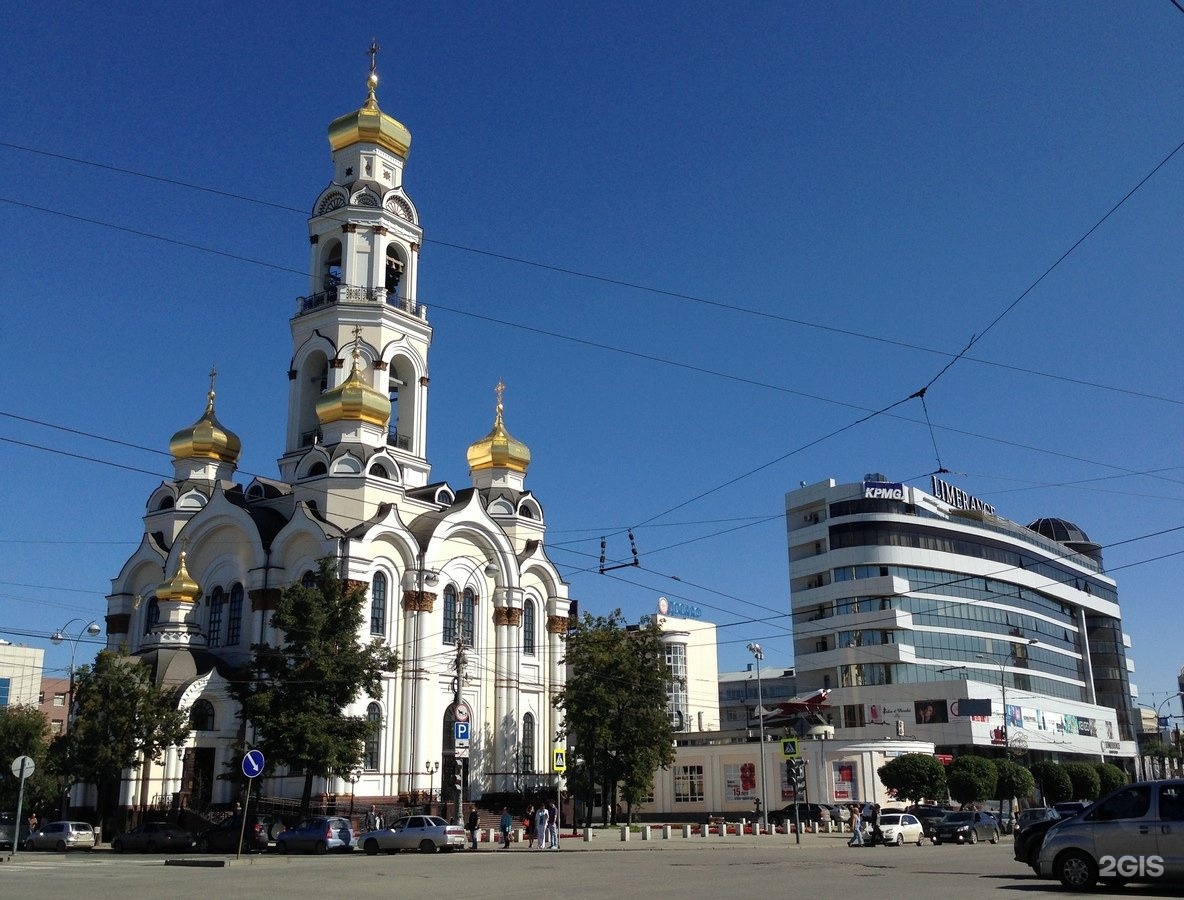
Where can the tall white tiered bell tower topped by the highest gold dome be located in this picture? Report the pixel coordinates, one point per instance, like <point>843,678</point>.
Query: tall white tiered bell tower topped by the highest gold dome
<point>364,261</point>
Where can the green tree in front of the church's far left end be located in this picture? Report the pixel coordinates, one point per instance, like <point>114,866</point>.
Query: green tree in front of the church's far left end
<point>121,718</point>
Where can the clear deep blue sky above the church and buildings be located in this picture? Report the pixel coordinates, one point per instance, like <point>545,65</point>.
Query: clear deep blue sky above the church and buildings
<point>795,214</point>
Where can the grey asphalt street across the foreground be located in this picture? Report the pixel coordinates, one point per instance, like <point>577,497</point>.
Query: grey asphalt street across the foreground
<point>707,869</point>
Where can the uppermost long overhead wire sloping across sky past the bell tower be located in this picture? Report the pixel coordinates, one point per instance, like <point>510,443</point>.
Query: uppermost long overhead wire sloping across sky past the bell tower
<point>612,281</point>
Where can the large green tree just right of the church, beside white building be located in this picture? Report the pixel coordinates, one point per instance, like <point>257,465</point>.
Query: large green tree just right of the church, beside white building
<point>615,708</point>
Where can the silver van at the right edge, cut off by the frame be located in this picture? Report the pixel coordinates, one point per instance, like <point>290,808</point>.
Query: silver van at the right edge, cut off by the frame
<point>1135,834</point>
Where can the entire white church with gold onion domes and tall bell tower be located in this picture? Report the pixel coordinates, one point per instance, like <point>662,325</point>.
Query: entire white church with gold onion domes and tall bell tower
<point>440,564</point>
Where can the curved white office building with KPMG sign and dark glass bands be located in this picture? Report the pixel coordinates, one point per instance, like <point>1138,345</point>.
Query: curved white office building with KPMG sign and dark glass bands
<point>931,616</point>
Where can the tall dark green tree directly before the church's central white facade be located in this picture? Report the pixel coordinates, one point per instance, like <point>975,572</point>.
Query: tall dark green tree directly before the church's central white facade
<point>295,695</point>
